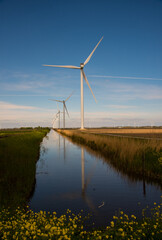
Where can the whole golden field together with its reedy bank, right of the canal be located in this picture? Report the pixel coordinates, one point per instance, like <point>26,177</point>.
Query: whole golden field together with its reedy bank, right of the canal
<point>136,153</point>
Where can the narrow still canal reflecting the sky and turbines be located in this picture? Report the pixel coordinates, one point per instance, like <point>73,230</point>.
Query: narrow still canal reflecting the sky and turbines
<point>69,177</point>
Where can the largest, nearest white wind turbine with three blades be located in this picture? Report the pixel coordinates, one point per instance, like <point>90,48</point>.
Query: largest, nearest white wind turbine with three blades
<point>82,75</point>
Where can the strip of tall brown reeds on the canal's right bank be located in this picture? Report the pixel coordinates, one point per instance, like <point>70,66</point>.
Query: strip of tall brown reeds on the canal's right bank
<point>134,157</point>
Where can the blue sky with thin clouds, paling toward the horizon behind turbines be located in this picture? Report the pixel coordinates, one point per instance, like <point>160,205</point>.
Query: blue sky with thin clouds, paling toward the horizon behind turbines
<point>125,72</point>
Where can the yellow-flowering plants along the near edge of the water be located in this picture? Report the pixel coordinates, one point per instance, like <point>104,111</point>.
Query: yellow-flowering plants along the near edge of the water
<point>42,225</point>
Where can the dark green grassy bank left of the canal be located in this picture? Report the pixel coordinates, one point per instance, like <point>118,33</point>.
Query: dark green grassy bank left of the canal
<point>19,151</point>
